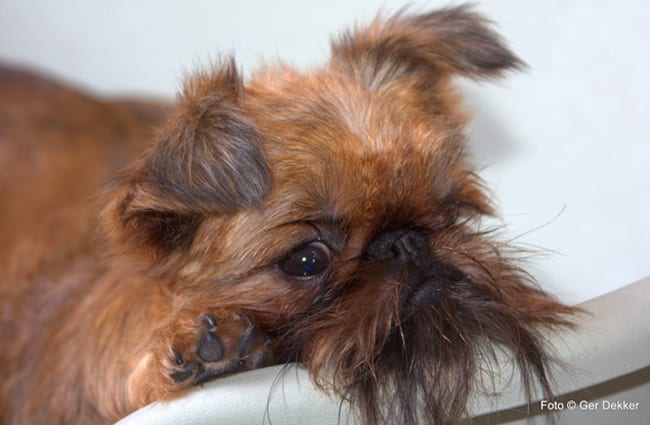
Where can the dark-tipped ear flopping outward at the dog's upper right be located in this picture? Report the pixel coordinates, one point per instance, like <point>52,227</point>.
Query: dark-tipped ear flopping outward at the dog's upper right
<point>428,46</point>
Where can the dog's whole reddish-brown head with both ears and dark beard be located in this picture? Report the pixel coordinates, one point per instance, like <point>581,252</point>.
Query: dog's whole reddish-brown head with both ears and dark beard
<point>338,209</point>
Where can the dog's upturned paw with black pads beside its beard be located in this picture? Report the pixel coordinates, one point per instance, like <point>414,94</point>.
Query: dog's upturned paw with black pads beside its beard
<point>215,347</point>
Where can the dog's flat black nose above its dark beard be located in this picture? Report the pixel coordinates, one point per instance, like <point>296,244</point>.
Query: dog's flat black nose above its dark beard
<point>405,245</point>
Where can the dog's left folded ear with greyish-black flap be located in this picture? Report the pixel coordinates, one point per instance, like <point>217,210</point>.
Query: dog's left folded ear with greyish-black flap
<point>208,159</point>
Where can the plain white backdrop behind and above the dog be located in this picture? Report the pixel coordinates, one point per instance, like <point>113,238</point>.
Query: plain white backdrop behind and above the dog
<point>566,146</point>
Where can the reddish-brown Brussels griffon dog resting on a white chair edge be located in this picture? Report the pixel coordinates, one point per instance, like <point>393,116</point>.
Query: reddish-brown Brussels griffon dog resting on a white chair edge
<point>329,218</point>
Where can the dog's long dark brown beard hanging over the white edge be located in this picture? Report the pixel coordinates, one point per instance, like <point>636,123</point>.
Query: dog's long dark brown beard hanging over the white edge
<point>405,341</point>
